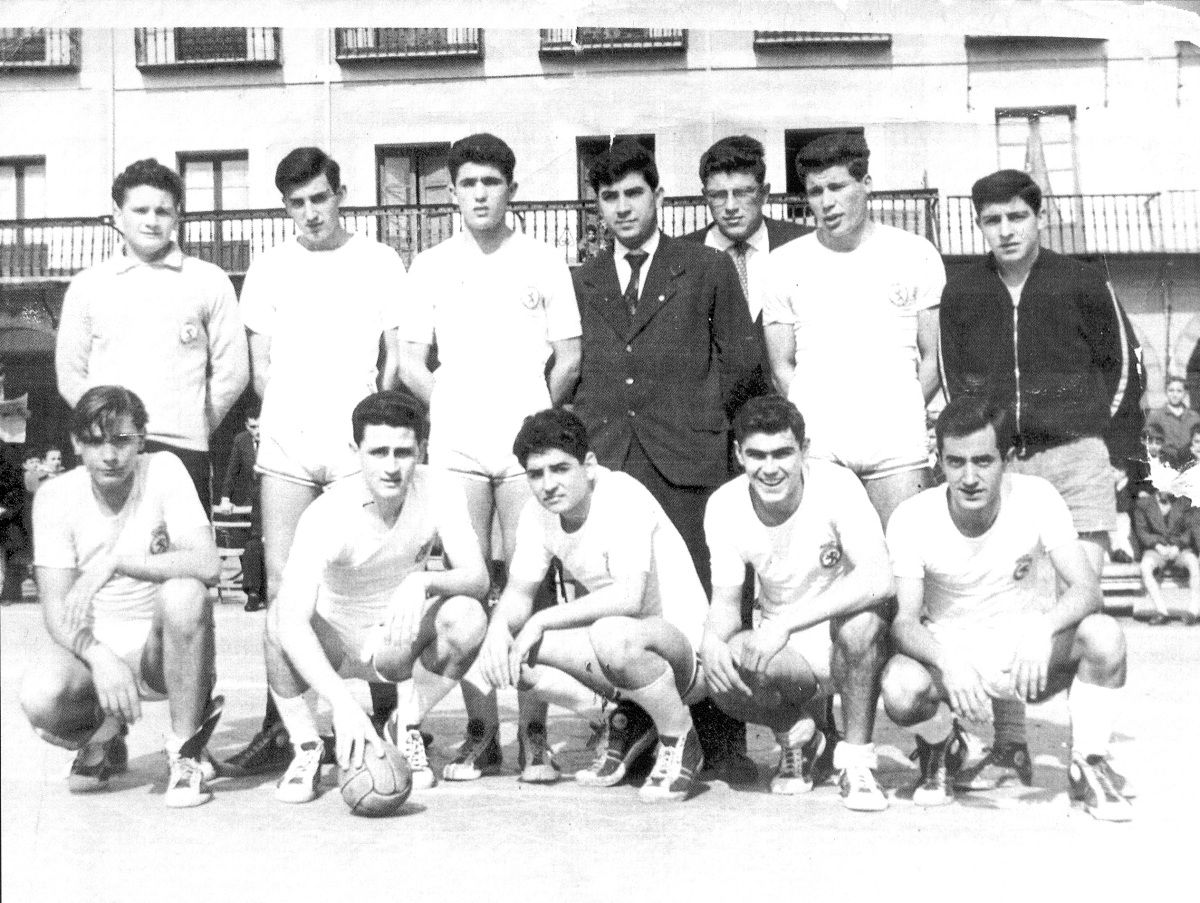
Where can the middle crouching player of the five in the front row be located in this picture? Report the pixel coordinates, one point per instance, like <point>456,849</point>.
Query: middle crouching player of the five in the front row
<point>633,636</point>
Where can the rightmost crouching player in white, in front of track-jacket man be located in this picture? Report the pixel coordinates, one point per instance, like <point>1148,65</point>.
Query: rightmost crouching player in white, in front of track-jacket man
<point>970,626</point>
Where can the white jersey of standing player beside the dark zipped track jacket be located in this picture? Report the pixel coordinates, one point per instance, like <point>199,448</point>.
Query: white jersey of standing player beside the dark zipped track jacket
<point>855,320</point>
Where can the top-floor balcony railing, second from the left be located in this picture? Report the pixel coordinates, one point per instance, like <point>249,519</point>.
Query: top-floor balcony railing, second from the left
<point>171,49</point>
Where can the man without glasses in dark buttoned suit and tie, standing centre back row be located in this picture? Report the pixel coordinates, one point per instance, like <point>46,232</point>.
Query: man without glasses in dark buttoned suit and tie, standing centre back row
<point>668,340</point>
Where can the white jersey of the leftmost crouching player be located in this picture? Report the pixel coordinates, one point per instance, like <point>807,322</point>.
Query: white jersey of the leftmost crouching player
<point>71,529</point>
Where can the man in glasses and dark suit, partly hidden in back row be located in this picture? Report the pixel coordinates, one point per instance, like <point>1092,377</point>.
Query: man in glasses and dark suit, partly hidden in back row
<point>734,178</point>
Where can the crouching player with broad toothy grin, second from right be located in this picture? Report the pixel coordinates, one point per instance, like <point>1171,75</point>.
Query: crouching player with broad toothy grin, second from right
<point>809,531</point>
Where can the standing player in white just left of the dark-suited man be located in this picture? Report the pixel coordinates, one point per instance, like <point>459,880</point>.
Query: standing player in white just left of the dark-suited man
<point>501,308</point>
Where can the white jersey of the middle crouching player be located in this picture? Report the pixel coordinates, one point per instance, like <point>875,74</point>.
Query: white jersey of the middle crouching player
<point>627,533</point>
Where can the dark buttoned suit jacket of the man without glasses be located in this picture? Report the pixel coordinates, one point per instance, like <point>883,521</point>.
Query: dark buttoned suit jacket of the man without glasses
<point>668,375</point>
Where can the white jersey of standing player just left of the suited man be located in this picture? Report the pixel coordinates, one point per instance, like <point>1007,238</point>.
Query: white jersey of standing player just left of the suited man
<point>494,318</point>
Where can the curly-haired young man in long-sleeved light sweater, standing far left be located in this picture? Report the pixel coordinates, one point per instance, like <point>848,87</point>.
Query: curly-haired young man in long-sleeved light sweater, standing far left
<point>159,322</point>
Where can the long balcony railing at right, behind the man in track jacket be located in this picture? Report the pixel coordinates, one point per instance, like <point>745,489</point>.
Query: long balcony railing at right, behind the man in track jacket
<point>1165,223</point>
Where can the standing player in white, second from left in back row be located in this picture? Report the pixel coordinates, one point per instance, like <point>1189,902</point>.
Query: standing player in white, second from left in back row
<point>316,309</point>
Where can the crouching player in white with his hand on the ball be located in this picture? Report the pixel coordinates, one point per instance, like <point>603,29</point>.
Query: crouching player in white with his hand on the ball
<point>357,600</point>
